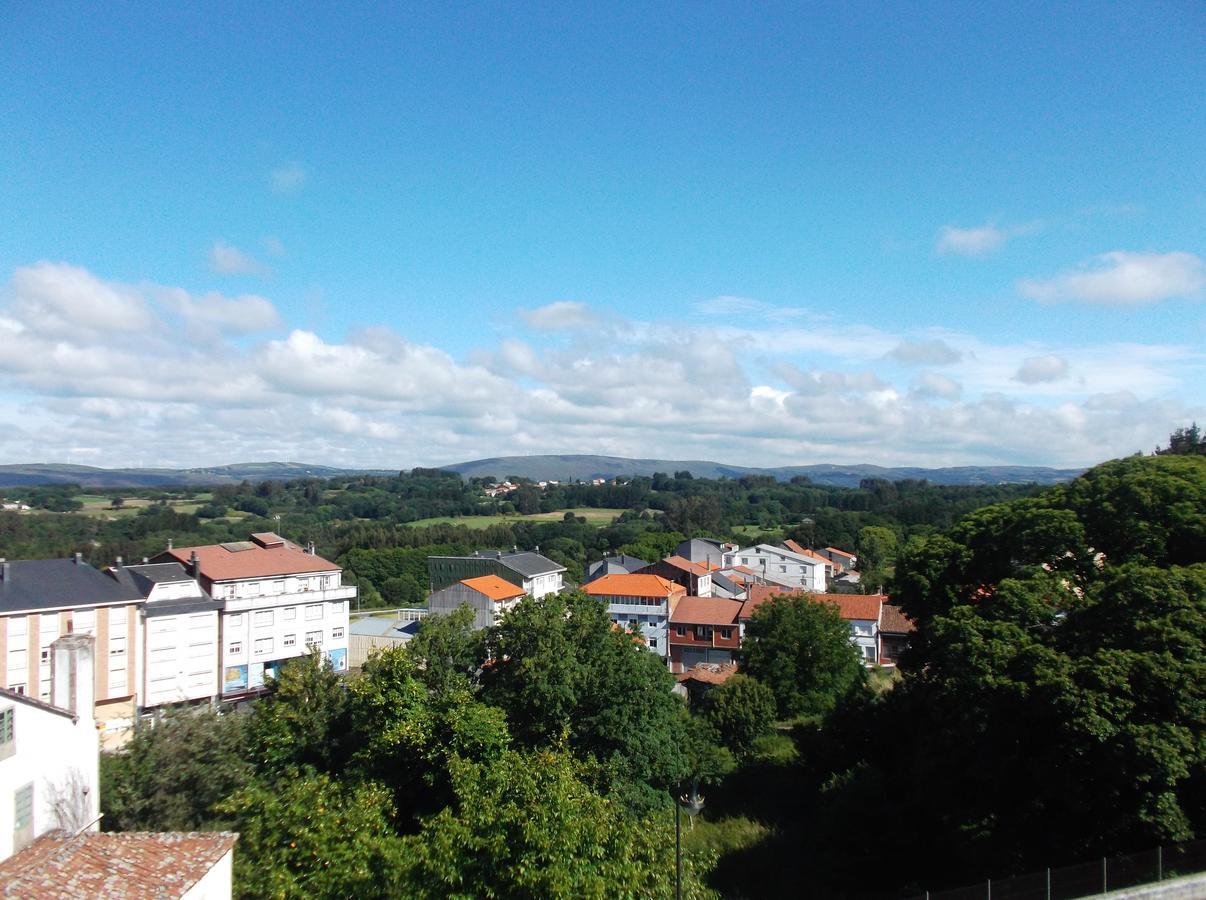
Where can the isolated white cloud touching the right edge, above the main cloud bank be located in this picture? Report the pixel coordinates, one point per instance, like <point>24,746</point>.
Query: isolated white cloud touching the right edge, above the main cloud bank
<point>1122,278</point>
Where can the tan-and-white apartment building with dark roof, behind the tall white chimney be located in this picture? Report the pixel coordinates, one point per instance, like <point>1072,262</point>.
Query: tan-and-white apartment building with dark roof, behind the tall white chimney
<point>43,600</point>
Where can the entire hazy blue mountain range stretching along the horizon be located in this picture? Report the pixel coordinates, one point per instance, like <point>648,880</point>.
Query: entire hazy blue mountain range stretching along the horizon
<point>554,469</point>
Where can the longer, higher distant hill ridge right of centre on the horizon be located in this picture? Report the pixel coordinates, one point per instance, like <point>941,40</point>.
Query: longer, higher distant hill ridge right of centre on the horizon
<point>567,469</point>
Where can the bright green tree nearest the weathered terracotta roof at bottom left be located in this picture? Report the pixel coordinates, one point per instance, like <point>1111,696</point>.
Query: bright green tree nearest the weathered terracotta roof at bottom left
<point>314,837</point>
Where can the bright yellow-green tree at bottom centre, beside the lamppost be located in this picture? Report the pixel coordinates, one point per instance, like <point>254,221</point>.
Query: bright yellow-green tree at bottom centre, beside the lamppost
<point>531,826</point>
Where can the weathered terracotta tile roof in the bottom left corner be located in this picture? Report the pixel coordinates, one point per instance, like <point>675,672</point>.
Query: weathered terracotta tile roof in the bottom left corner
<point>132,866</point>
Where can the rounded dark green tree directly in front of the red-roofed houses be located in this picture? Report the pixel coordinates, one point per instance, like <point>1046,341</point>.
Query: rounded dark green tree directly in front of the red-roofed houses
<point>801,651</point>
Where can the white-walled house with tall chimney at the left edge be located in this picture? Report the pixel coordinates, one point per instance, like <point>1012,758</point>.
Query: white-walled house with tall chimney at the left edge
<point>49,752</point>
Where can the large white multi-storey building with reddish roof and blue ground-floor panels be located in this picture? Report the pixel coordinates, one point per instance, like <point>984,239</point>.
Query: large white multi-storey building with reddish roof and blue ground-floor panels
<point>279,600</point>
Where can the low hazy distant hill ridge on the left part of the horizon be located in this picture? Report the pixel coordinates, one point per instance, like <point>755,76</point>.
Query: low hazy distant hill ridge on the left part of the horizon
<point>92,477</point>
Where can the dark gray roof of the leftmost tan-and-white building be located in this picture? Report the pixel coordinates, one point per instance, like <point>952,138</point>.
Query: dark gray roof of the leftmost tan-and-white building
<point>56,585</point>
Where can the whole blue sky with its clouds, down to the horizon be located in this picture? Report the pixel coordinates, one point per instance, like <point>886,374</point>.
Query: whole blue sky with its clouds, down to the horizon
<point>935,235</point>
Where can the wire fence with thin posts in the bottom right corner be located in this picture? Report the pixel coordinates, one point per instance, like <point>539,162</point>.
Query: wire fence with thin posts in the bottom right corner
<point>1086,879</point>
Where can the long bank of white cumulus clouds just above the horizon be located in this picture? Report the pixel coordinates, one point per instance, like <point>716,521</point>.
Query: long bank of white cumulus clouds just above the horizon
<point>149,393</point>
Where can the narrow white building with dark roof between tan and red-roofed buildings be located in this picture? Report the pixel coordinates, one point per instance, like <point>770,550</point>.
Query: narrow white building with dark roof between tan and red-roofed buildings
<point>179,630</point>
